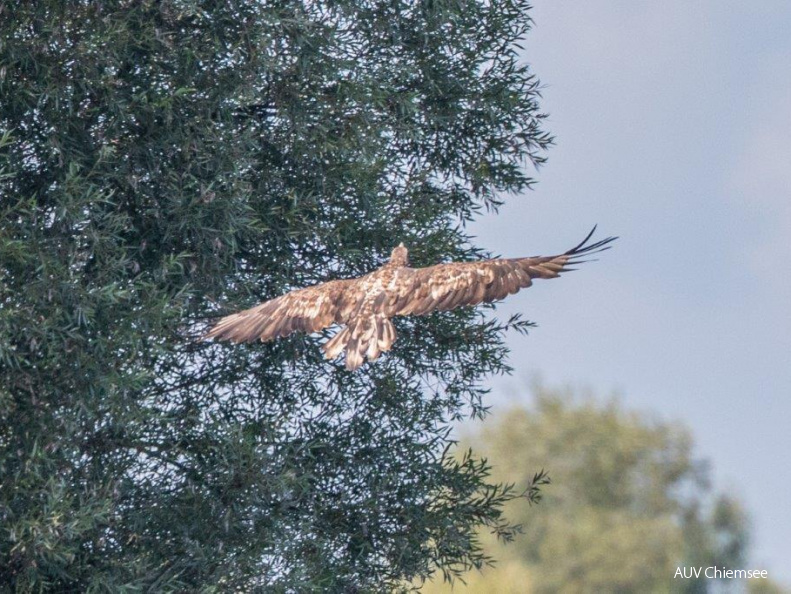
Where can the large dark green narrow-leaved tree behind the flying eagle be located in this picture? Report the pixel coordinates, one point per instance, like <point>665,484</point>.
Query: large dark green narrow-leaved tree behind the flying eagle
<point>166,162</point>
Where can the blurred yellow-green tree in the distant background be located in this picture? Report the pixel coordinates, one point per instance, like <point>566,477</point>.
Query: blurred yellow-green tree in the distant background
<point>628,502</point>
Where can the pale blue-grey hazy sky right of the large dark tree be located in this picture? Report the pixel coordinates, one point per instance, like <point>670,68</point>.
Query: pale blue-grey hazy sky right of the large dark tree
<point>673,127</point>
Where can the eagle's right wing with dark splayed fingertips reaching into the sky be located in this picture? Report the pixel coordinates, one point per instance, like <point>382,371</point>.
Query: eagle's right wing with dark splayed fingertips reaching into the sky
<point>446,286</point>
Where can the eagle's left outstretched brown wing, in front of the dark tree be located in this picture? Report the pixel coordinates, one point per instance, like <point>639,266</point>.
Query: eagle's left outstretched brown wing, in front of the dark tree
<point>304,310</point>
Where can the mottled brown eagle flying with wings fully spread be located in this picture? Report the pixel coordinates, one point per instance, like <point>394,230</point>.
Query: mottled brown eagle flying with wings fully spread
<point>363,306</point>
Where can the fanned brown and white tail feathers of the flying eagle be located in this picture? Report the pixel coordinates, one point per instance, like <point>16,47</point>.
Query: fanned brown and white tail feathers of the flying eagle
<point>364,338</point>
